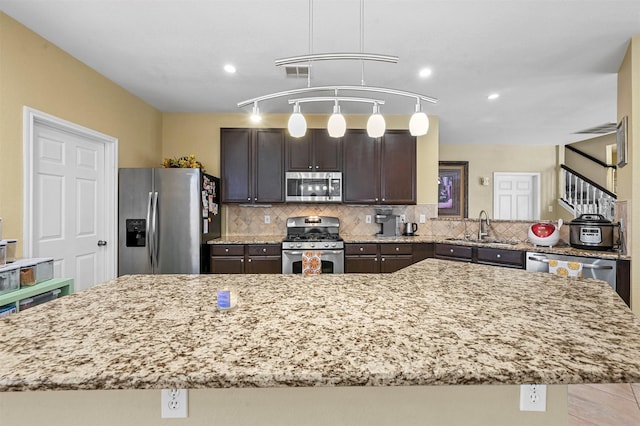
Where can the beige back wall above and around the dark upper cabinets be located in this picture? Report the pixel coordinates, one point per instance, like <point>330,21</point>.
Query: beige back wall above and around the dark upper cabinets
<point>199,134</point>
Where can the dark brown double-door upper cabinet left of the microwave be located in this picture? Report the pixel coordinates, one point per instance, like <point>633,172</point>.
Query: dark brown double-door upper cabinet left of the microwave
<point>252,163</point>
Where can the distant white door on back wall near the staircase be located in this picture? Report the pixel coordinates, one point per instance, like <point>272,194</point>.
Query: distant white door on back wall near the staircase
<point>516,196</point>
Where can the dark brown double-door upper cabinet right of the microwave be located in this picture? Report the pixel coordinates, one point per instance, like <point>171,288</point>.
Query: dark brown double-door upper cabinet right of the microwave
<point>379,171</point>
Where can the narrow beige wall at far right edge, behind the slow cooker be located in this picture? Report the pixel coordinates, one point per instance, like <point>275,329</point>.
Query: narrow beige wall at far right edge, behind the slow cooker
<point>629,105</point>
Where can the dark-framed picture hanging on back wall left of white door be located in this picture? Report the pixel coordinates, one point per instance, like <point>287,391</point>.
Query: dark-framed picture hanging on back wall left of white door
<point>453,188</point>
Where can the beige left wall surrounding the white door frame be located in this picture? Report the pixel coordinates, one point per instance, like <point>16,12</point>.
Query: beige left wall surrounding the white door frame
<point>37,74</point>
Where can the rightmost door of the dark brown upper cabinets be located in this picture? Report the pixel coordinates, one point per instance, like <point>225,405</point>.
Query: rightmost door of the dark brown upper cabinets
<point>398,165</point>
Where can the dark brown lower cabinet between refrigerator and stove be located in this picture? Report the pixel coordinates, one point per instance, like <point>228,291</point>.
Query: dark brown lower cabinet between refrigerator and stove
<point>246,259</point>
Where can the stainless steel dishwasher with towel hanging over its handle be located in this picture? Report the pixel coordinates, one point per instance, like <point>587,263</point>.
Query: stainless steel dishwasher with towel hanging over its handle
<point>599,269</point>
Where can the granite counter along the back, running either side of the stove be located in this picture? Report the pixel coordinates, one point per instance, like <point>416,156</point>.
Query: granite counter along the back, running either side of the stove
<point>562,248</point>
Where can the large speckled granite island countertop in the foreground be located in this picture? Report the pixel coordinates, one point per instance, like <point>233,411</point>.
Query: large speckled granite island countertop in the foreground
<point>433,323</point>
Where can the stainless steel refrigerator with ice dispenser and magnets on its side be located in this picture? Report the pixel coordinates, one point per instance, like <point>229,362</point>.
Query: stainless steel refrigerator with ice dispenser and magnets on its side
<point>166,217</point>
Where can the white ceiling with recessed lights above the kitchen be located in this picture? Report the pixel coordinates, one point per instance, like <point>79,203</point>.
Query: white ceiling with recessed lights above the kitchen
<point>554,62</point>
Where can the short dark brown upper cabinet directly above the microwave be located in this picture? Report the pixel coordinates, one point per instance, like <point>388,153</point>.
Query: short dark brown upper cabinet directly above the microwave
<point>314,152</point>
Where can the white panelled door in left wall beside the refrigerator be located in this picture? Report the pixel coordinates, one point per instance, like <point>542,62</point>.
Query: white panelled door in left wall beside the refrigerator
<point>71,211</point>
